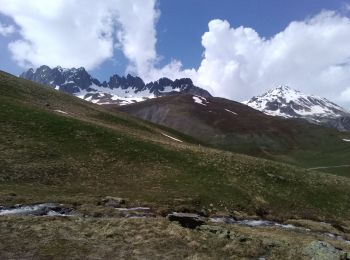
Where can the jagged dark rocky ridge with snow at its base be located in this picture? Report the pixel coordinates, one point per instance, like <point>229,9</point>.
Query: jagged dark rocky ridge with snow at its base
<point>118,90</point>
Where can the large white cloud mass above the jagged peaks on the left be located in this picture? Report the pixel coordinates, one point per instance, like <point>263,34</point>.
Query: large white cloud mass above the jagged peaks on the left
<point>74,33</point>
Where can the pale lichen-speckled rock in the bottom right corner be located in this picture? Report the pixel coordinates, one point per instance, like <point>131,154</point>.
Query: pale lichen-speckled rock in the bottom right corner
<point>321,250</point>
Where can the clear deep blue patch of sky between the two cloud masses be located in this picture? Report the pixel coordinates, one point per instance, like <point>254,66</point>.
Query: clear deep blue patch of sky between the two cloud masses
<point>183,22</point>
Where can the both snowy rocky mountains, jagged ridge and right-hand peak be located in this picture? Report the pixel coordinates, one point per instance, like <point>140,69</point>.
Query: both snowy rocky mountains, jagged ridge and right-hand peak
<point>282,101</point>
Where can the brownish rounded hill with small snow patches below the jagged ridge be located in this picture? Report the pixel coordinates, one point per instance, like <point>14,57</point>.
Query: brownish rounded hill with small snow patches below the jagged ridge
<point>235,127</point>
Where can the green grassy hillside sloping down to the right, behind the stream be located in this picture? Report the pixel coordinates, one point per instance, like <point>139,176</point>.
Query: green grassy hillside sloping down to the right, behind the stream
<point>76,158</point>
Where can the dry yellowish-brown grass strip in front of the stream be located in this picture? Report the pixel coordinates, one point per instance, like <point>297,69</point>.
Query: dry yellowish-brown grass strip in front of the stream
<point>58,238</point>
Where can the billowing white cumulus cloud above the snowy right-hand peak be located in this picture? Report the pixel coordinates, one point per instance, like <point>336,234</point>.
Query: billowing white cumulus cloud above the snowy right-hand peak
<point>311,55</point>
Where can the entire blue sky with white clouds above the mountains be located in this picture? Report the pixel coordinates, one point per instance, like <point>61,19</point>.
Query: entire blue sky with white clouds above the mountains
<point>233,48</point>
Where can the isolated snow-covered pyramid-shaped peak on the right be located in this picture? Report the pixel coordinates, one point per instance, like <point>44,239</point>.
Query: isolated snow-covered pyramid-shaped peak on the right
<point>289,103</point>
